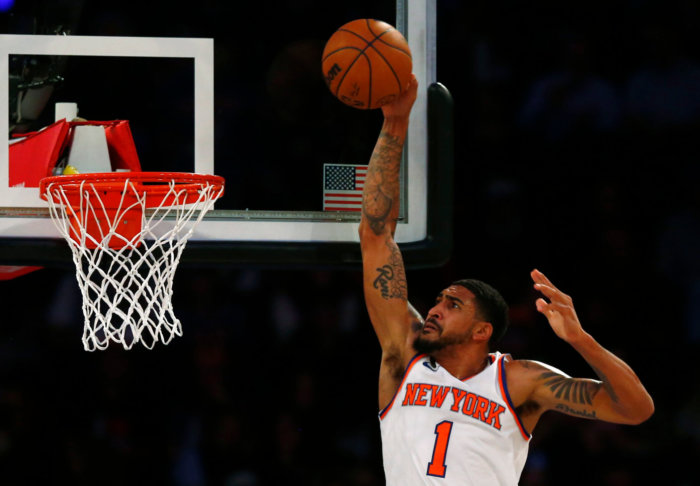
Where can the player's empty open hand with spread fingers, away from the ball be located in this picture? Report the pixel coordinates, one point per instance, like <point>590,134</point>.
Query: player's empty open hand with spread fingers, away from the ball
<point>558,309</point>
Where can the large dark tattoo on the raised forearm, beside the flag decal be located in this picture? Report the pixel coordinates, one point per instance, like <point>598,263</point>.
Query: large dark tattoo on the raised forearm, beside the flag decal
<point>382,183</point>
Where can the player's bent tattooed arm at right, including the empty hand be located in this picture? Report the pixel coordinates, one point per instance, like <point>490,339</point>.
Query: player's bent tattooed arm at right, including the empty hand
<point>617,396</point>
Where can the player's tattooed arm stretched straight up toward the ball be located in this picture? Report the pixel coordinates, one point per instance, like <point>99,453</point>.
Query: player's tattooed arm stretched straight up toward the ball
<point>383,269</point>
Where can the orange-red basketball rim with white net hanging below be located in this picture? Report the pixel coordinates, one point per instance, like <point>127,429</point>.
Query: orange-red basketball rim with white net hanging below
<point>126,231</point>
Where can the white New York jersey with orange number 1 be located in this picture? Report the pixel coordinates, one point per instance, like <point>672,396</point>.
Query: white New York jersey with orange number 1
<point>440,430</point>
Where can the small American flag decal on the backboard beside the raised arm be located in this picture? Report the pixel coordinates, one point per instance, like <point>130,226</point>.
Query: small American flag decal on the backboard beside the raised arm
<point>342,187</point>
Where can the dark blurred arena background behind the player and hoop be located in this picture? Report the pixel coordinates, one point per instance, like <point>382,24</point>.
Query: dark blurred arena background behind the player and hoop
<point>576,153</point>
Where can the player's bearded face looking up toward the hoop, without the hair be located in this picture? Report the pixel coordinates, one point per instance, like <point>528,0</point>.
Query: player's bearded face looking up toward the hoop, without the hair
<point>450,321</point>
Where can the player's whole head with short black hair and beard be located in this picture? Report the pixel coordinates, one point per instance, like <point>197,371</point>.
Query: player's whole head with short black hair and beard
<point>468,311</point>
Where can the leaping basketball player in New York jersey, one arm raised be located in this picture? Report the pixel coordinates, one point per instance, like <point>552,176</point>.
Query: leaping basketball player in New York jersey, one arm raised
<point>454,412</point>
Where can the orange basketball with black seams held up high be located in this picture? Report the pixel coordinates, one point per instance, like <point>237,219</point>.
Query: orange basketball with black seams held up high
<point>367,63</point>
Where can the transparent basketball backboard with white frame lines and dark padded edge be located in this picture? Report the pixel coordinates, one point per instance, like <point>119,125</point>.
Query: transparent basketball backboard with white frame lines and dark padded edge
<point>241,99</point>
